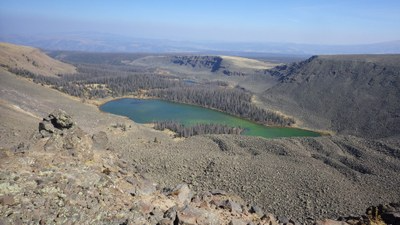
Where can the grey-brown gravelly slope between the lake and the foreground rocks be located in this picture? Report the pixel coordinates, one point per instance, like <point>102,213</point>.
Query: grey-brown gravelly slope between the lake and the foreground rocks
<point>302,178</point>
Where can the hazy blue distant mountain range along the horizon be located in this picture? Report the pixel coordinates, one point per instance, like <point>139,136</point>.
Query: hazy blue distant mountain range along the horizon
<point>101,42</point>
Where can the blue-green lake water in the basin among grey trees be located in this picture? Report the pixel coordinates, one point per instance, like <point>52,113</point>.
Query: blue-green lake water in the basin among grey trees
<point>150,110</point>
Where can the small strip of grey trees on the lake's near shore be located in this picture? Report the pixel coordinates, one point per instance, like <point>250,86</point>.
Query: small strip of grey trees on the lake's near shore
<point>198,129</point>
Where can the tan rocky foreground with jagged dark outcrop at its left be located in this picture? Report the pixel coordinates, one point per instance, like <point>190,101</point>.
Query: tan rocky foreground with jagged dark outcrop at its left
<point>65,176</point>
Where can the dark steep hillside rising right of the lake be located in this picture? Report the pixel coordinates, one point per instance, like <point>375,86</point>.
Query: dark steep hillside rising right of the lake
<point>353,94</point>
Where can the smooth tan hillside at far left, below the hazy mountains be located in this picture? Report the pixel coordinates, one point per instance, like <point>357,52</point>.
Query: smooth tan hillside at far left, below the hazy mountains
<point>31,59</point>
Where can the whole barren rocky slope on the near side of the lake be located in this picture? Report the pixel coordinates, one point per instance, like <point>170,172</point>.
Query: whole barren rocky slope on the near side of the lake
<point>299,178</point>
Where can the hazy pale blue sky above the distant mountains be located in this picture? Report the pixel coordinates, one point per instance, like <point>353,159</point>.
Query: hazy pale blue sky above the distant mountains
<point>312,21</point>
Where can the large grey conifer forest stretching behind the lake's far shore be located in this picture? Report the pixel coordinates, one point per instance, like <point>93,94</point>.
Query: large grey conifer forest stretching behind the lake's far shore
<point>100,81</point>
